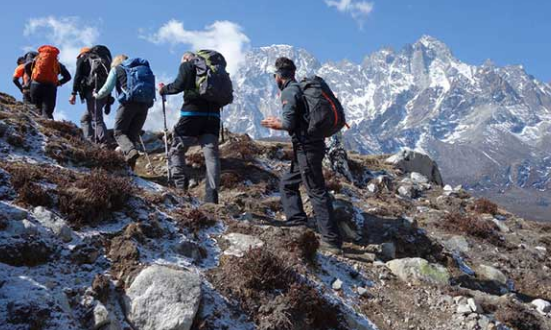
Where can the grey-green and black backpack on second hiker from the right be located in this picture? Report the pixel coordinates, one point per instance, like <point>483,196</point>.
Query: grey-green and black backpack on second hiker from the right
<point>213,81</point>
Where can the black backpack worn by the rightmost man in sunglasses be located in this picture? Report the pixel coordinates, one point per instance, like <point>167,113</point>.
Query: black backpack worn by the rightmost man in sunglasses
<point>324,112</point>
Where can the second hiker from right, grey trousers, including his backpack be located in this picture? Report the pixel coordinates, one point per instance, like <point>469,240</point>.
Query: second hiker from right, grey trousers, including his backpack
<point>199,122</point>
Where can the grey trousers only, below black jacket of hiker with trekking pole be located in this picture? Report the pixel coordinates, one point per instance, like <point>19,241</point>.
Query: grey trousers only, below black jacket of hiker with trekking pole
<point>209,144</point>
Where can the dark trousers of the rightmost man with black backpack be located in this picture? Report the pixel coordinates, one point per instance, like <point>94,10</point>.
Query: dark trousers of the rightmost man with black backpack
<point>306,168</point>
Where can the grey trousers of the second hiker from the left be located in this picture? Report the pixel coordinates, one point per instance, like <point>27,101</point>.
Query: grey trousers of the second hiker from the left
<point>93,118</point>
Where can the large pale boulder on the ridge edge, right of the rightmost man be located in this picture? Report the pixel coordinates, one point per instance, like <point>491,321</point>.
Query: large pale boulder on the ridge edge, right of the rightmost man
<point>410,161</point>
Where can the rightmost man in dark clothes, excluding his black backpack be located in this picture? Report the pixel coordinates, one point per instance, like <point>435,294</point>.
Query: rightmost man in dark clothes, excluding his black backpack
<point>306,166</point>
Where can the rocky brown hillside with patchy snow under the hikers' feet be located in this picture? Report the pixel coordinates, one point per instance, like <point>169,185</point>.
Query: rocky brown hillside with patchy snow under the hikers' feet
<point>87,244</point>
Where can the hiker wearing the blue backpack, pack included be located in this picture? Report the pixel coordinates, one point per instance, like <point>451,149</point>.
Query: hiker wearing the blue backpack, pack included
<point>134,101</point>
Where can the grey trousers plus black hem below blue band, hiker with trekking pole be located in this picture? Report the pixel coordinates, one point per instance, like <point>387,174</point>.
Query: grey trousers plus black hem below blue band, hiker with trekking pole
<point>192,131</point>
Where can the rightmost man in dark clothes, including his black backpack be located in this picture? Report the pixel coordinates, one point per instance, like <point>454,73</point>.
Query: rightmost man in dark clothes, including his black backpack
<point>310,114</point>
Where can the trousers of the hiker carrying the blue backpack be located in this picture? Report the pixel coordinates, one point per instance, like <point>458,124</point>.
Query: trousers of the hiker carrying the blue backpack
<point>129,122</point>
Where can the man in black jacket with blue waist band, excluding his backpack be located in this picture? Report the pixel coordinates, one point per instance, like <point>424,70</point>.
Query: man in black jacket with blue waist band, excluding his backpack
<point>199,124</point>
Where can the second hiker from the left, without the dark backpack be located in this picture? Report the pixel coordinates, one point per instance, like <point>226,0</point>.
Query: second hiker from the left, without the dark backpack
<point>91,122</point>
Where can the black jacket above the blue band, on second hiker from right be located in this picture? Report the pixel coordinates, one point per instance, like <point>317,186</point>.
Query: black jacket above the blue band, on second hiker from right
<point>185,82</point>
